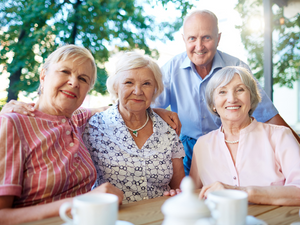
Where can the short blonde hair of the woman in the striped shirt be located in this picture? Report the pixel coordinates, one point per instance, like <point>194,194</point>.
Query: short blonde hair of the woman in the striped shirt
<point>72,52</point>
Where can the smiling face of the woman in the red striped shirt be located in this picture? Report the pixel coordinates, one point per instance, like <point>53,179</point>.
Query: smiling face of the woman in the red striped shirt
<point>65,85</point>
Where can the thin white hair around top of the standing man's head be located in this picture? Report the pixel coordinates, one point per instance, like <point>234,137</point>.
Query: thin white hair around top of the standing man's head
<point>197,14</point>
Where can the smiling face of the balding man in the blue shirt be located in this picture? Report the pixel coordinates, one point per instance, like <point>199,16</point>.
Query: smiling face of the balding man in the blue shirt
<point>201,39</point>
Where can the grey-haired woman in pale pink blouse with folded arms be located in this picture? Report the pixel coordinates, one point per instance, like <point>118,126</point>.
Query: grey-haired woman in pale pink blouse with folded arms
<point>243,154</point>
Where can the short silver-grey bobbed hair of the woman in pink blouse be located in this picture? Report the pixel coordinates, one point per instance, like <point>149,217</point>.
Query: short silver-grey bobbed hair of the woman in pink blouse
<point>223,77</point>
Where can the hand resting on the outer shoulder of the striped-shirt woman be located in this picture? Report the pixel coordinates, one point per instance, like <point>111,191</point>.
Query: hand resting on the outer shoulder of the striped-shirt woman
<point>18,107</point>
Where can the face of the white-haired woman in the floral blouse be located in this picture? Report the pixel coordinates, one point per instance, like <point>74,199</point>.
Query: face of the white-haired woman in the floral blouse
<point>135,90</point>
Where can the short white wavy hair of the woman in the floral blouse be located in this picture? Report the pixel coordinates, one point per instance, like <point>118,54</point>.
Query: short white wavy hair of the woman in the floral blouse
<point>134,60</point>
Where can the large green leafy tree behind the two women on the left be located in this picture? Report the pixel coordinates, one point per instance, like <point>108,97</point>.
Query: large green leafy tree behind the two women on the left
<point>32,29</point>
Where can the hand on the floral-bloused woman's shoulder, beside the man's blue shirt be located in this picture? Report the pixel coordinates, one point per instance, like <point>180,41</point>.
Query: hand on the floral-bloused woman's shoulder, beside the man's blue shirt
<point>170,118</point>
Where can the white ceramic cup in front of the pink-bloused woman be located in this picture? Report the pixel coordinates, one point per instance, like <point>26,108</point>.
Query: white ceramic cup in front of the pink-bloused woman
<point>228,207</point>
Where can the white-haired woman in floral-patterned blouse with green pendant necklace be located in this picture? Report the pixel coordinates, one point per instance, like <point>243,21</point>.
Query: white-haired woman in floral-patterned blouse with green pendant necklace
<point>130,145</point>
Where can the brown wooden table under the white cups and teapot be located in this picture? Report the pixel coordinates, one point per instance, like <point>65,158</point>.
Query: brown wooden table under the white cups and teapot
<point>147,212</point>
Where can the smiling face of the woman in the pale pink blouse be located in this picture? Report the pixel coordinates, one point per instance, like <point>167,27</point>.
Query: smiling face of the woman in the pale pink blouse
<point>232,101</point>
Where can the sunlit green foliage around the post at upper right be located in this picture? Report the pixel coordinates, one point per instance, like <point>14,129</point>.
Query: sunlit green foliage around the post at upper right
<point>286,42</point>
